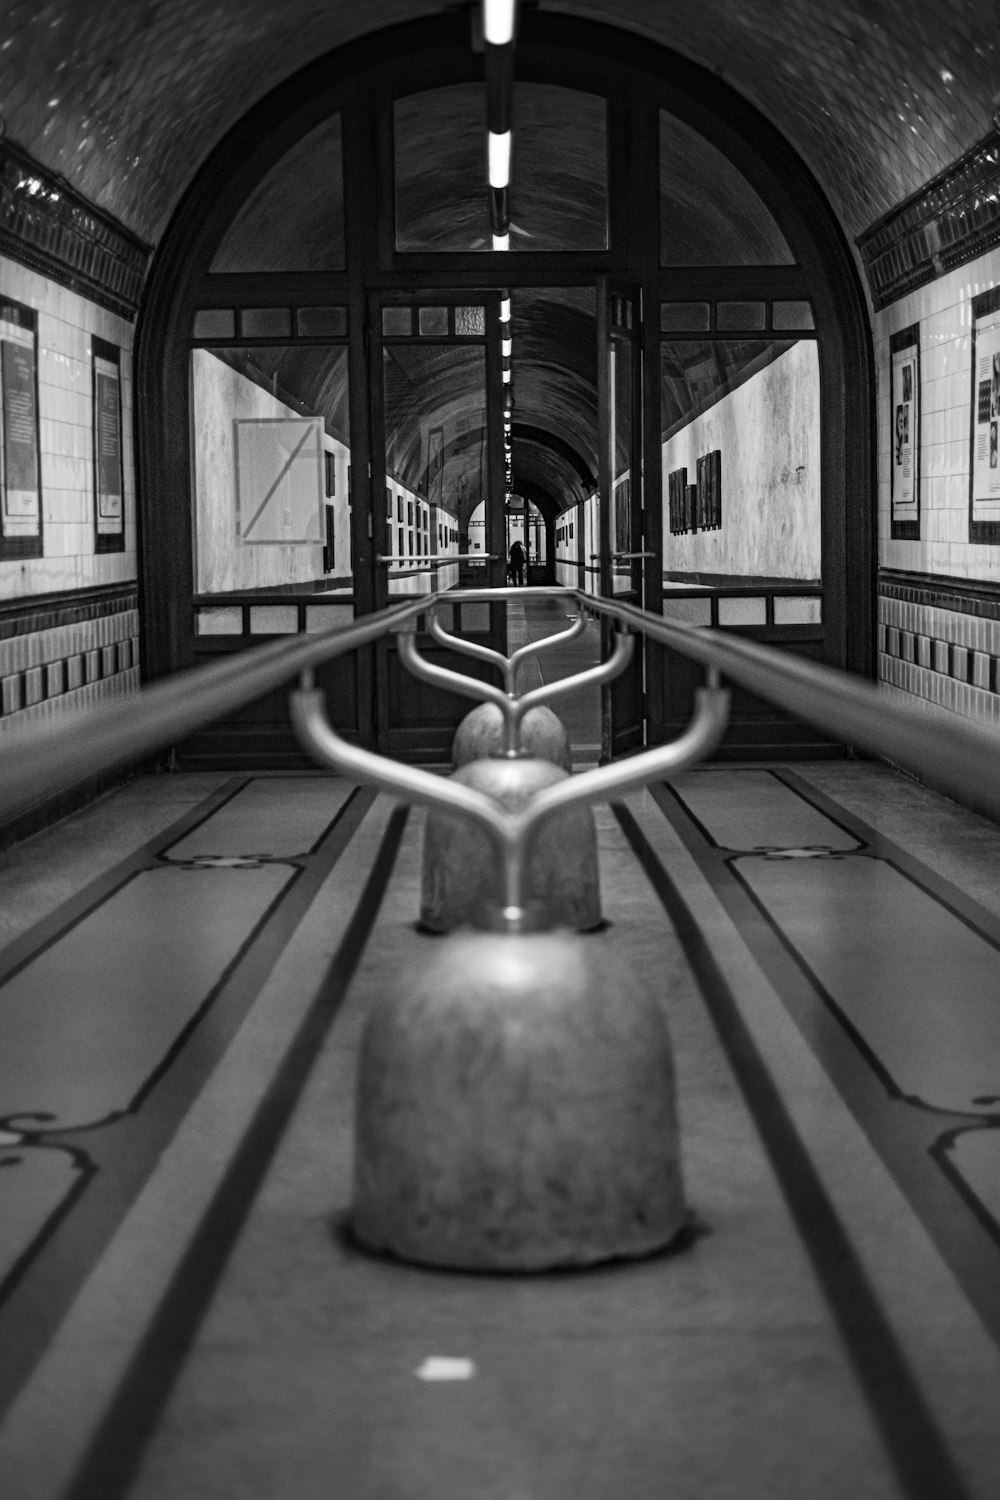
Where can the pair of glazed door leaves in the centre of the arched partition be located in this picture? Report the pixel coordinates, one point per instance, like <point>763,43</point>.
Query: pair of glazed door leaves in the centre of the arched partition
<point>440,407</point>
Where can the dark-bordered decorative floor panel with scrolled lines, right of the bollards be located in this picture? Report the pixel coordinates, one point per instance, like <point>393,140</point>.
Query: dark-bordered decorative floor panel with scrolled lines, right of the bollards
<point>891,973</point>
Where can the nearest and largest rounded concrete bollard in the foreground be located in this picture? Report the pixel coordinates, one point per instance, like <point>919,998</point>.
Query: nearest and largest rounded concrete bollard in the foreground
<point>516,1109</point>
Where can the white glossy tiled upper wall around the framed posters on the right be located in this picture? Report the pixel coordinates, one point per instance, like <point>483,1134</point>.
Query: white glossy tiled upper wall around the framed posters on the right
<point>939,608</point>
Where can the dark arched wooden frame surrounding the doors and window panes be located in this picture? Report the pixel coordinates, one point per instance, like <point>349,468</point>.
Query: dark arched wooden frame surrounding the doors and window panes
<point>638,79</point>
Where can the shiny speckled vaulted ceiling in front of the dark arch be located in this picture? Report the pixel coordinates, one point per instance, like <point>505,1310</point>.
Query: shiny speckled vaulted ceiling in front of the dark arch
<point>127,97</point>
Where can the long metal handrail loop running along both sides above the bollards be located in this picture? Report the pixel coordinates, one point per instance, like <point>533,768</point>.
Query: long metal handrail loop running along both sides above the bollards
<point>959,758</point>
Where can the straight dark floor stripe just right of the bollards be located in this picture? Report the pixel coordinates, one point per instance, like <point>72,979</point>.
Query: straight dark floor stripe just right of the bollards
<point>918,1453</point>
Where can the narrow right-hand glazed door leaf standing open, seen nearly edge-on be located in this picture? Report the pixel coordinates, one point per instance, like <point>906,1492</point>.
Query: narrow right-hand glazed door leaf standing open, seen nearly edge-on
<point>623,551</point>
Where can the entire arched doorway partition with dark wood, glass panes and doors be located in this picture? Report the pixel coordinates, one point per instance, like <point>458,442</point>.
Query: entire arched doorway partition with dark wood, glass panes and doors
<point>322,373</point>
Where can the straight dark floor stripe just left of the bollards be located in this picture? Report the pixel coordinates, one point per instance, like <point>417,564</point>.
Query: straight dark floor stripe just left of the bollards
<point>118,1448</point>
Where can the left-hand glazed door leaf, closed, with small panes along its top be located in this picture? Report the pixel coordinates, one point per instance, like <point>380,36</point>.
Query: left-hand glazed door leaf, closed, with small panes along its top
<point>437,518</point>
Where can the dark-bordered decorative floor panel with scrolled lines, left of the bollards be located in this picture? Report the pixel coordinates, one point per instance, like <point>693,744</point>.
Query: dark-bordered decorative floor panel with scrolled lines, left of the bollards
<point>116,1006</point>
